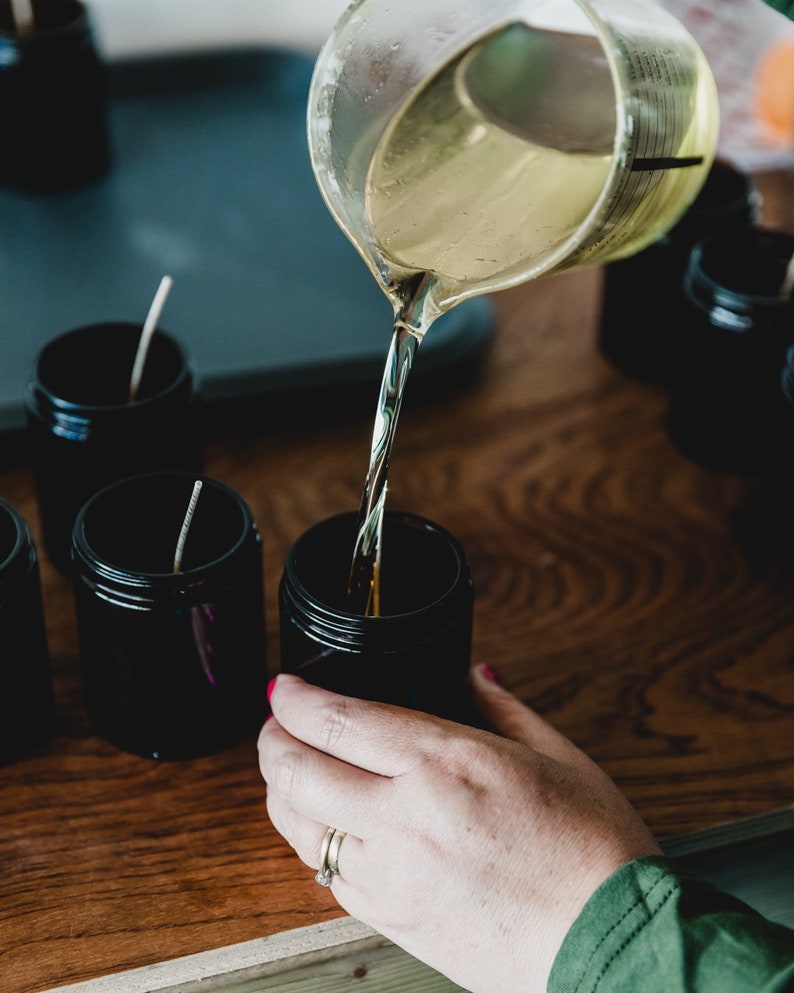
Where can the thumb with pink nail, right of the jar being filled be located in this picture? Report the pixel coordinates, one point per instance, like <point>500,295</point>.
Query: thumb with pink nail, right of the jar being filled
<point>505,714</point>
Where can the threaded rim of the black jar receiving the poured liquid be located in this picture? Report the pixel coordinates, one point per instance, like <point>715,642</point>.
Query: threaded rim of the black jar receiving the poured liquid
<point>331,621</point>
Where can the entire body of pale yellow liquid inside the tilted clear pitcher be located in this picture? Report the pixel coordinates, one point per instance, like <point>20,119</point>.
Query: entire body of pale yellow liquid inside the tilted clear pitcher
<point>476,189</point>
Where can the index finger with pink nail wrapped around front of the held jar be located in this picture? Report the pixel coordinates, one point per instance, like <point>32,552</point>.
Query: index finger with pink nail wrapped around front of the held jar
<point>377,737</point>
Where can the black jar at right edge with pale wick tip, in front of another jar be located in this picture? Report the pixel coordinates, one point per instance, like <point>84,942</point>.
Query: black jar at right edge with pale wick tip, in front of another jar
<point>727,410</point>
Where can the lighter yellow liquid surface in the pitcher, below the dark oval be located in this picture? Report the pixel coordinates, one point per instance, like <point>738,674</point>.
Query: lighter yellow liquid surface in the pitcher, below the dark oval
<point>452,193</point>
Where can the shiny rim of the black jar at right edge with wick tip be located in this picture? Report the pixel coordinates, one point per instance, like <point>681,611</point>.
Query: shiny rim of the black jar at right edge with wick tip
<point>717,272</point>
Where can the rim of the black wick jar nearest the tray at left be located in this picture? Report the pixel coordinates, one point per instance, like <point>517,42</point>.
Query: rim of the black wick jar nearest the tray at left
<point>45,398</point>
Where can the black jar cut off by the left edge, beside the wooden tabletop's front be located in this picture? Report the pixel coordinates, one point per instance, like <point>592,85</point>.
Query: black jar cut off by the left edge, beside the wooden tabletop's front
<point>27,704</point>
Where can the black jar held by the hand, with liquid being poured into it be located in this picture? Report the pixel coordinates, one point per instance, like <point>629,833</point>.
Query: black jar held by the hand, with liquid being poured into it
<point>417,652</point>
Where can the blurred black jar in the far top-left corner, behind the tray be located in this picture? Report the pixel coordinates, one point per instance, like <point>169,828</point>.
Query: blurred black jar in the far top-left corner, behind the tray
<point>53,100</point>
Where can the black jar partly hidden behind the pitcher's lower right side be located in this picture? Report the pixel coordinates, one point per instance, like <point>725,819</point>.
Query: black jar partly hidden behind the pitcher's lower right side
<point>641,331</point>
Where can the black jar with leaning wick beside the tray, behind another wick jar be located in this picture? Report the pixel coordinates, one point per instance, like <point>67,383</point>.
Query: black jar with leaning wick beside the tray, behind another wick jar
<point>84,432</point>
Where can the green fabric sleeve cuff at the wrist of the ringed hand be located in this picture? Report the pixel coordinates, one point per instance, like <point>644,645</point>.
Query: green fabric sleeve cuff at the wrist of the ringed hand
<point>651,929</point>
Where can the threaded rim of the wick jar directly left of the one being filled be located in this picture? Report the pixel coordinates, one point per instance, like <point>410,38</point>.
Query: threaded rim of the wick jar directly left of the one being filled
<point>93,562</point>
